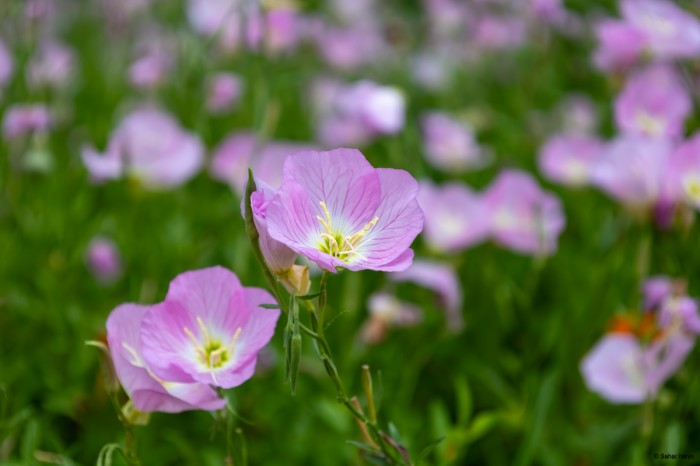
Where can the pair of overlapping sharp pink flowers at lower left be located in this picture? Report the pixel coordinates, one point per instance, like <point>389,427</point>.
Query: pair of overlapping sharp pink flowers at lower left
<point>206,333</point>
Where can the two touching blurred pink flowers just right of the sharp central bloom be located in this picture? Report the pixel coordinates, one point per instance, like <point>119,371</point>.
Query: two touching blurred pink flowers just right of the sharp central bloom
<point>513,211</point>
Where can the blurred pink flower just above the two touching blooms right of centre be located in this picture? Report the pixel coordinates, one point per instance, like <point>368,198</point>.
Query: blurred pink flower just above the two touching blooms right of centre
<point>450,145</point>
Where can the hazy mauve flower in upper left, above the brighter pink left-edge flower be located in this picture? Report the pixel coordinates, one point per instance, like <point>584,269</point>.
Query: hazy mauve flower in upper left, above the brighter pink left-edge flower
<point>53,65</point>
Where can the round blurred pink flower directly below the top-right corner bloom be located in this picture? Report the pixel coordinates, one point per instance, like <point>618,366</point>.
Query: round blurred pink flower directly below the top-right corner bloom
<point>653,103</point>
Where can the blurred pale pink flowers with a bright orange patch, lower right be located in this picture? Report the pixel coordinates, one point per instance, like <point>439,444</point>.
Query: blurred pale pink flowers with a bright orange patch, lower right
<point>641,352</point>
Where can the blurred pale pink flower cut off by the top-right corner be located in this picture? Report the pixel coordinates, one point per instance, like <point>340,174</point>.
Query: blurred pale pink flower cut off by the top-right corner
<point>669,31</point>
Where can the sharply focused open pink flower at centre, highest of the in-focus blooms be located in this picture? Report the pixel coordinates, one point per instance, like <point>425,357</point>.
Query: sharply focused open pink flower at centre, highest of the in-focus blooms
<point>340,212</point>
